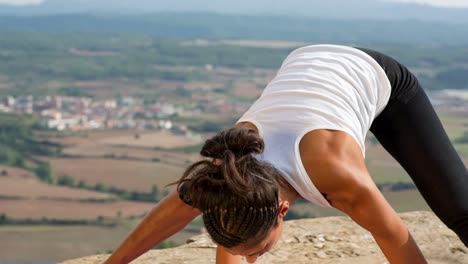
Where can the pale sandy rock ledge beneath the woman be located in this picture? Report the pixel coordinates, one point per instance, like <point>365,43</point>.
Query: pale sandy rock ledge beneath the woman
<point>321,240</point>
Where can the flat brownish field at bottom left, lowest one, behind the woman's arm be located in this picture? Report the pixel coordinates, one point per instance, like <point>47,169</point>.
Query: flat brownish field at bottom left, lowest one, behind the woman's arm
<point>52,244</point>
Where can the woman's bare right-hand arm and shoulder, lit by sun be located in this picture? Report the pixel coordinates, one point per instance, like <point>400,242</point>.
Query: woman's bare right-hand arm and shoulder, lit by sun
<point>336,166</point>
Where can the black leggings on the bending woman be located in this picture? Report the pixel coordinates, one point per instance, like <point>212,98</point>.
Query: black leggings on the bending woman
<point>409,129</point>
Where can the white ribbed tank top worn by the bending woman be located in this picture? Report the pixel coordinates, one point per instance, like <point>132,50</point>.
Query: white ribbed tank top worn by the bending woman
<point>317,87</point>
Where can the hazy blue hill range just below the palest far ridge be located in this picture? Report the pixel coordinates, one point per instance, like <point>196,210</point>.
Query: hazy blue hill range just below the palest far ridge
<point>170,25</point>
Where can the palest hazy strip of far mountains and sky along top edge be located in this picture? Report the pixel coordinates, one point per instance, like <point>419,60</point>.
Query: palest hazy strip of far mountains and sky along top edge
<point>395,10</point>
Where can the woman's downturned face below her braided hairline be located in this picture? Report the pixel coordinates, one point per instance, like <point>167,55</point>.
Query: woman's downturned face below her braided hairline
<point>251,254</point>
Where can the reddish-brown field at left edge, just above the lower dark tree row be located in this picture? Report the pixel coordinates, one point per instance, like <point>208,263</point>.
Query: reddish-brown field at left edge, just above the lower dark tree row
<point>23,196</point>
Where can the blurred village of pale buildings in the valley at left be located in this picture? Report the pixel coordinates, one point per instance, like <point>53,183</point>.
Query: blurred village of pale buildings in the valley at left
<point>83,113</point>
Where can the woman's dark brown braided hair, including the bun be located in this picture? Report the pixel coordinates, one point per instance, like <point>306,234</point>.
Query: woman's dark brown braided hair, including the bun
<point>237,193</point>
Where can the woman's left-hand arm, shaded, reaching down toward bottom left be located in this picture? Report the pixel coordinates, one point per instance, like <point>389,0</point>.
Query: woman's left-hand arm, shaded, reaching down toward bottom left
<point>168,217</point>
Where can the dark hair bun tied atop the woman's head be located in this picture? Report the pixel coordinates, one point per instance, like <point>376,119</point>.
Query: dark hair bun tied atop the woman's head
<point>238,141</point>
